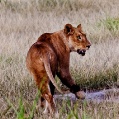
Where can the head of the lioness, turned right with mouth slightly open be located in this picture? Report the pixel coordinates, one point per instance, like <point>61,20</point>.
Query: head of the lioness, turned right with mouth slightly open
<point>76,39</point>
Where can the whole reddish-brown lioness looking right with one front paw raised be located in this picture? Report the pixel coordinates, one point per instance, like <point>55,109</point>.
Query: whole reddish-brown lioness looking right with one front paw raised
<point>49,56</point>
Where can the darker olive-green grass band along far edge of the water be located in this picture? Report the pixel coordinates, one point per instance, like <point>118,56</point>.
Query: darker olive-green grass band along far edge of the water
<point>99,80</point>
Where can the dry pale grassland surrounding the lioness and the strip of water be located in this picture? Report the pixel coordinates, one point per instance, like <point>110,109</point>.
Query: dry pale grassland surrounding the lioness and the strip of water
<point>23,21</point>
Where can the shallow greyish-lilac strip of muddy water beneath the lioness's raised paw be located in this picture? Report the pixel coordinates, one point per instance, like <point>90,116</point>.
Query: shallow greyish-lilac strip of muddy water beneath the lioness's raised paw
<point>111,95</point>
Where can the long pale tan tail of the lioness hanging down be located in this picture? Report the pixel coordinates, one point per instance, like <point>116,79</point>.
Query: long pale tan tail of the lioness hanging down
<point>49,73</point>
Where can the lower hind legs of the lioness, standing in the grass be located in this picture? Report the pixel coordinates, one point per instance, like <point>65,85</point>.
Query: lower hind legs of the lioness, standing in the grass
<point>46,94</point>
